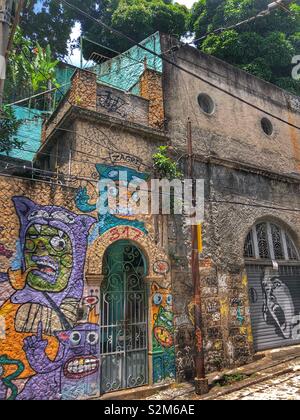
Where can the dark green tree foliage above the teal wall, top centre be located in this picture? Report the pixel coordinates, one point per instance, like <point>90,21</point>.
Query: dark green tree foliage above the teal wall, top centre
<point>135,18</point>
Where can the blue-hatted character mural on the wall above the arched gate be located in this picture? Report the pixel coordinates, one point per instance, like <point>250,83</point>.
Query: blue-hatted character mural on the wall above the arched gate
<point>123,215</point>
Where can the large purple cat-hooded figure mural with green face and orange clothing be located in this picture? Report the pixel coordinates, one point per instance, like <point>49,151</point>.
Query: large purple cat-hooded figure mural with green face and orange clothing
<point>40,317</point>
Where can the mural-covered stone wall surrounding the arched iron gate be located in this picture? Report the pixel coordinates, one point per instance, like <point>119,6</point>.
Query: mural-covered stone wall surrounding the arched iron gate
<point>52,246</point>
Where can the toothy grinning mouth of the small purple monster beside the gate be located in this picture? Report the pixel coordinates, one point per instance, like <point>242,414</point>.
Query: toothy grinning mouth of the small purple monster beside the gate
<point>81,367</point>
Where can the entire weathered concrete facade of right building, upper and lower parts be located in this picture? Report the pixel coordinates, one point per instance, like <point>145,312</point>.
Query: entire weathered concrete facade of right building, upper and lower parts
<point>240,164</point>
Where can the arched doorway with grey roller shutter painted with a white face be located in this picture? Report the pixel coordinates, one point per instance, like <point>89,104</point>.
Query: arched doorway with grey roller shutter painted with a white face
<point>273,268</point>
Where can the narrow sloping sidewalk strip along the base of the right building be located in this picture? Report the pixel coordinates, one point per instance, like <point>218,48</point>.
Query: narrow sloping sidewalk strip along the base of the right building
<point>269,365</point>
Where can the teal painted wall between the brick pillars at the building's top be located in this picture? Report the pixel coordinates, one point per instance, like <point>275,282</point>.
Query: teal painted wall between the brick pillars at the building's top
<point>124,71</point>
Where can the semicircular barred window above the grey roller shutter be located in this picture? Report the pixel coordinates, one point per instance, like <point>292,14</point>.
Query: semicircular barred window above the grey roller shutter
<point>268,241</point>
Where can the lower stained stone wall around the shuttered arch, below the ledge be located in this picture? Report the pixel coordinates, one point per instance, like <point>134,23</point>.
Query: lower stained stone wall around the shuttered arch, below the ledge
<point>228,338</point>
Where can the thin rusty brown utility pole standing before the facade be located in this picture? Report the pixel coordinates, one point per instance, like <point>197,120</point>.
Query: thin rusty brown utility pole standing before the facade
<point>201,383</point>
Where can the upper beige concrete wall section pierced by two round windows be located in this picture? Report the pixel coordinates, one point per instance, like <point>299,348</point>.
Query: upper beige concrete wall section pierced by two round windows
<point>234,130</point>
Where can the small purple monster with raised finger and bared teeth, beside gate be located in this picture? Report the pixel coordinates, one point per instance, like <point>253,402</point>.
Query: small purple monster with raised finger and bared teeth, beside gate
<point>74,374</point>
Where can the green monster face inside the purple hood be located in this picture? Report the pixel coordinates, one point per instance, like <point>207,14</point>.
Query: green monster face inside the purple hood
<point>48,259</point>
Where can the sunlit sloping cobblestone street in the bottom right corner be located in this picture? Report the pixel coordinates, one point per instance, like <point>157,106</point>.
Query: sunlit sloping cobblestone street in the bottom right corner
<point>276,376</point>
